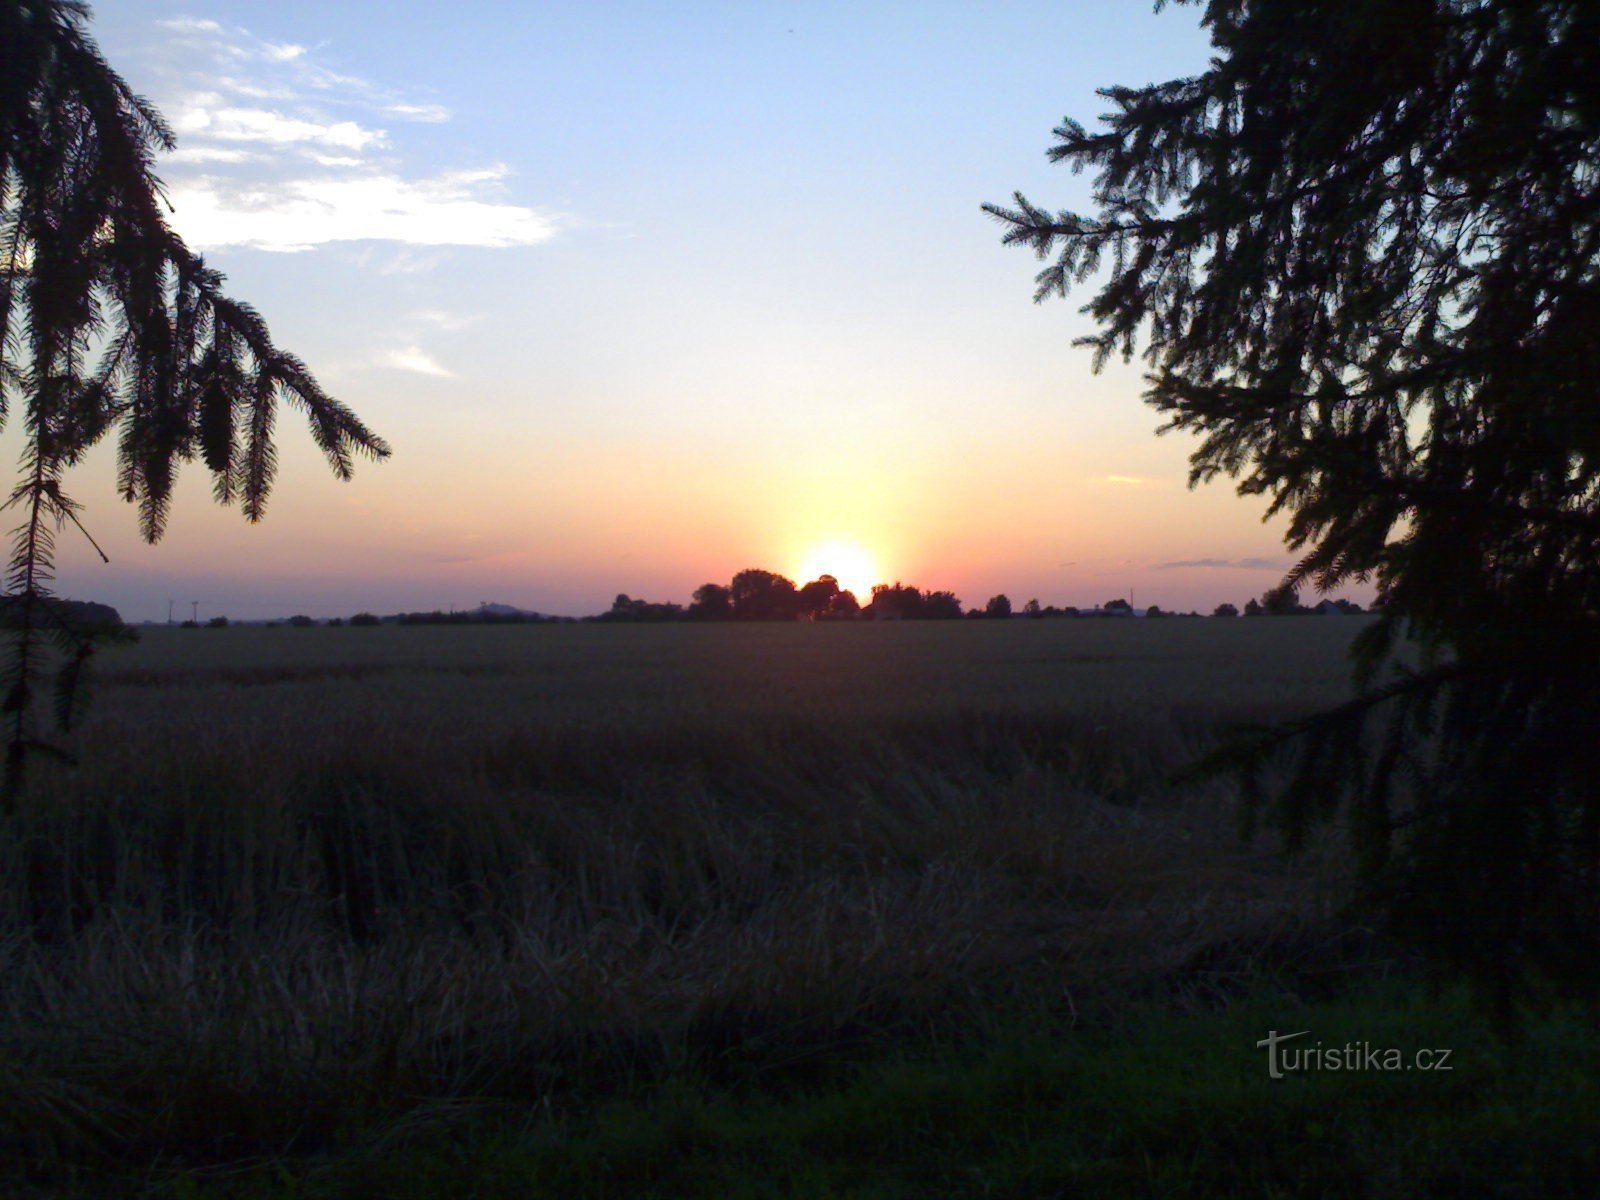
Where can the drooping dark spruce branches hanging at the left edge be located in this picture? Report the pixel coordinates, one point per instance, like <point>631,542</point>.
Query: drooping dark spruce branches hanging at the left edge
<point>110,322</point>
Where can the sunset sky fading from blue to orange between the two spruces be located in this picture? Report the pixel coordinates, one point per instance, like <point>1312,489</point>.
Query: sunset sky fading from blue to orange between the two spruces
<point>649,294</point>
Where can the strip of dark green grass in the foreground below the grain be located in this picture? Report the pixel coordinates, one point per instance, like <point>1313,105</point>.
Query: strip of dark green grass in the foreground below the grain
<point>1151,1105</point>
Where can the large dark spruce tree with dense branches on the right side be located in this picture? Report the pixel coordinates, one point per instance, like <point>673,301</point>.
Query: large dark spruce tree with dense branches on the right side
<point>1364,252</point>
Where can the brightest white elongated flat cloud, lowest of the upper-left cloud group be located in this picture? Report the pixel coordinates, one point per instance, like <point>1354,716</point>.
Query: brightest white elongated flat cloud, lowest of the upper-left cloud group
<point>295,215</point>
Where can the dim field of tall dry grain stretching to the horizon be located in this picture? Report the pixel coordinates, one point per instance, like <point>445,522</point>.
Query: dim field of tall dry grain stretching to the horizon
<point>314,892</point>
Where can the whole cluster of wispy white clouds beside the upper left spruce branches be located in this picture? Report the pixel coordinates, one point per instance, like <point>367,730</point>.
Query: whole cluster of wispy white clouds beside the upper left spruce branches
<point>278,151</point>
